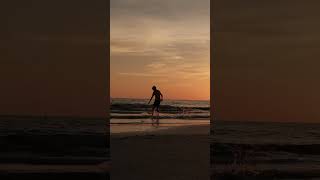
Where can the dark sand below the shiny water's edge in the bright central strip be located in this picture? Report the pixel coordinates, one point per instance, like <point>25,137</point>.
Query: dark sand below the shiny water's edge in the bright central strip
<point>175,153</point>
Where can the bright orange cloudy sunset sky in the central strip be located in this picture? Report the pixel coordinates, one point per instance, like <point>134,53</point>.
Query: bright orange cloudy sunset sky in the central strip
<point>164,43</point>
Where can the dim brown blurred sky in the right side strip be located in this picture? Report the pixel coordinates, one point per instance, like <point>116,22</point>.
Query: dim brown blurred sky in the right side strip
<point>266,60</point>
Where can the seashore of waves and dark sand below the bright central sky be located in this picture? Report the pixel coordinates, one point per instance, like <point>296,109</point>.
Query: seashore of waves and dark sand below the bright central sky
<point>175,149</point>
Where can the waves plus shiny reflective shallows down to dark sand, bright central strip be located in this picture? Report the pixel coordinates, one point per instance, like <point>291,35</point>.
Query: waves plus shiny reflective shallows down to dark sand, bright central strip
<point>134,115</point>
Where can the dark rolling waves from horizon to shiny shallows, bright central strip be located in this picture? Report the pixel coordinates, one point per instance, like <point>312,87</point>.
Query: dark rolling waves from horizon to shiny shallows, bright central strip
<point>122,108</point>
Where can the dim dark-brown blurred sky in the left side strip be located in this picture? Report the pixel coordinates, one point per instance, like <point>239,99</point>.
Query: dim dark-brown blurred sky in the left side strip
<point>53,57</point>
